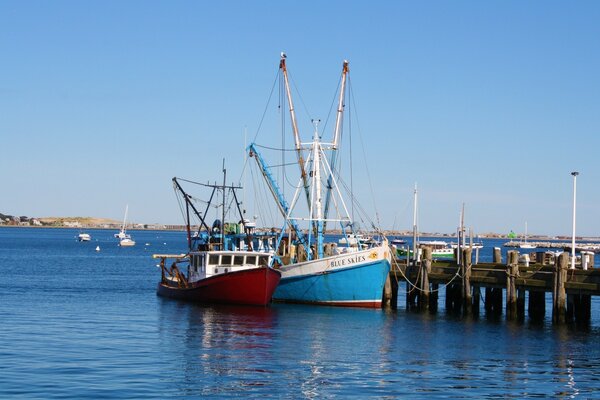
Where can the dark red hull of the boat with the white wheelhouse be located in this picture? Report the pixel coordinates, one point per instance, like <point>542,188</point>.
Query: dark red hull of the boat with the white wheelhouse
<point>251,286</point>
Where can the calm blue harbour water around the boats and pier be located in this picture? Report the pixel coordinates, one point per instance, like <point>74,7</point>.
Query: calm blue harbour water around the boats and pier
<point>76,323</point>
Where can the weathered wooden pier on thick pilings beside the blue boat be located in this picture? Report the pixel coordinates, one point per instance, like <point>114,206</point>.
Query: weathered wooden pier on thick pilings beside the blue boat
<point>513,281</point>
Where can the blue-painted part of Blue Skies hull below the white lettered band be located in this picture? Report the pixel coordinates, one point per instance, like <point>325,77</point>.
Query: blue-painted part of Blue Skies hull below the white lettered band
<point>356,286</point>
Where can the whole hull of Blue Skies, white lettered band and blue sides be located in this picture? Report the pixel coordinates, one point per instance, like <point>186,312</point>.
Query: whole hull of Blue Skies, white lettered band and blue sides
<point>350,280</point>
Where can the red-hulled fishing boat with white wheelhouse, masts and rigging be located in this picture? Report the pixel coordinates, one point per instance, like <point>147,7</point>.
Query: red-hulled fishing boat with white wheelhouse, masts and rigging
<point>222,265</point>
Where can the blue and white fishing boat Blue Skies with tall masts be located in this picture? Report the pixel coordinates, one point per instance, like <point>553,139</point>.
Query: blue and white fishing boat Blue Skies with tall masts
<point>313,271</point>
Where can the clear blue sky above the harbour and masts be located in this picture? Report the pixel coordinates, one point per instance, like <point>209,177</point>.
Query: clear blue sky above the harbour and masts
<point>491,104</point>
